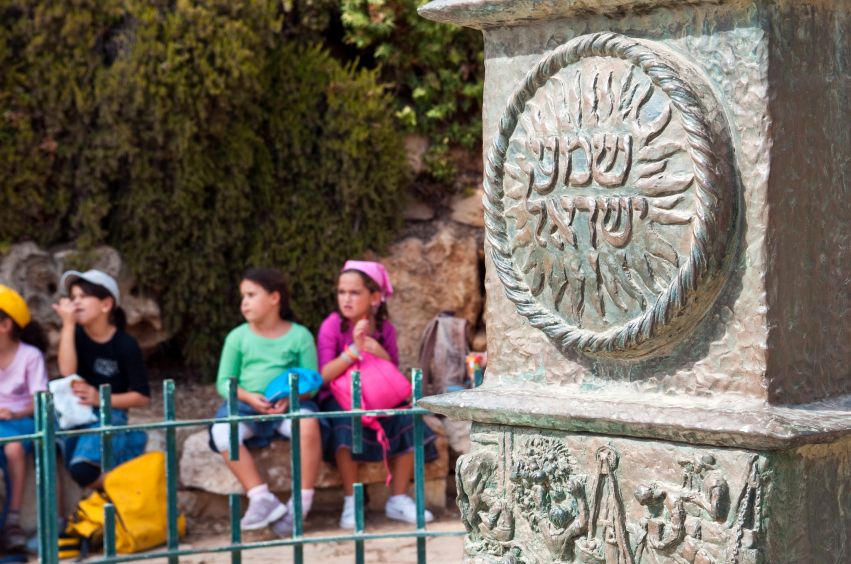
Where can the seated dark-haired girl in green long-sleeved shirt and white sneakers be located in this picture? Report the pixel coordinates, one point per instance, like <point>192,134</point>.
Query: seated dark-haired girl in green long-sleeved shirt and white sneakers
<point>269,343</point>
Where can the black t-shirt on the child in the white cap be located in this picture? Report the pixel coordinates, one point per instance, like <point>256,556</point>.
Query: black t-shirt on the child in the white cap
<point>117,362</point>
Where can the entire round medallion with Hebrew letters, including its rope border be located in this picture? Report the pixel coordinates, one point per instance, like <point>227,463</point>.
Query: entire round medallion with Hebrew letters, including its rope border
<point>609,209</point>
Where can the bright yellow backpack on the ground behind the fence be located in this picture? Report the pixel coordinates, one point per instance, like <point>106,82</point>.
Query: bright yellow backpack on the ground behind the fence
<point>137,489</point>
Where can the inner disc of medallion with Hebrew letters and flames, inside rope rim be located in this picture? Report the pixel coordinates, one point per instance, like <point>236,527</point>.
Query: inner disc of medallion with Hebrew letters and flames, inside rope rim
<point>598,192</point>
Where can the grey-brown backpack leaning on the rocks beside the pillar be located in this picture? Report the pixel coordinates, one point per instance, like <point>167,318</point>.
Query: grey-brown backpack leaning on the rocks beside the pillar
<point>443,352</point>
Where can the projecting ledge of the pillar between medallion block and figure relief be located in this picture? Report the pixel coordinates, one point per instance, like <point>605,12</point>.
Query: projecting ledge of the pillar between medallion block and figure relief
<point>713,421</point>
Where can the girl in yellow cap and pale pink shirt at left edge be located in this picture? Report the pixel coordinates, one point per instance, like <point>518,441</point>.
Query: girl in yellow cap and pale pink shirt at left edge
<point>22,374</point>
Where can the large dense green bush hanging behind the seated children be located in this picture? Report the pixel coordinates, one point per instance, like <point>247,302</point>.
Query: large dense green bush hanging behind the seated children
<point>197,142</point>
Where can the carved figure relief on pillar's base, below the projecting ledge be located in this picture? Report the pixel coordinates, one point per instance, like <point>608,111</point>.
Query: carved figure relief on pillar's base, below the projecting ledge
<point>529,499</point>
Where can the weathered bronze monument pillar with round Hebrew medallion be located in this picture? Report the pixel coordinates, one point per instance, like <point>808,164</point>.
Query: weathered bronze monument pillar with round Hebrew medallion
<point>667,189</point>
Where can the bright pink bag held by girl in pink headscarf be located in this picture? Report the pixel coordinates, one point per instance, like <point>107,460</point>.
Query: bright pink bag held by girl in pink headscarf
<point>383,386</point>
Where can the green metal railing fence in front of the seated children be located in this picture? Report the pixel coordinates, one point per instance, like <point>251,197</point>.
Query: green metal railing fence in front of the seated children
<point>47,433</point>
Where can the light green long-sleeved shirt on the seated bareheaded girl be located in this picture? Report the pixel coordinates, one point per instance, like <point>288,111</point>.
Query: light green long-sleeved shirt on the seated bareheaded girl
<point>256,360</point>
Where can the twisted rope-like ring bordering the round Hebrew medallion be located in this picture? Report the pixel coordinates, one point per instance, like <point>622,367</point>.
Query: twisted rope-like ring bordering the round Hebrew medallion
<point>701,140</point>
